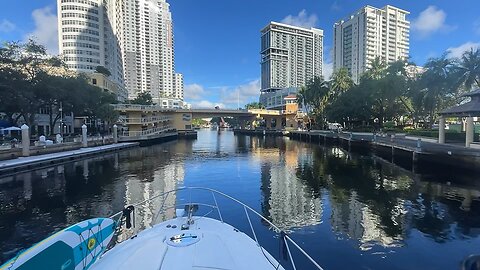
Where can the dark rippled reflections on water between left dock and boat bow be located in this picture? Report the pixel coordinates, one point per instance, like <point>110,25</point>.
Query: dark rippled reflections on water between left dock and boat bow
<point>34,204</point>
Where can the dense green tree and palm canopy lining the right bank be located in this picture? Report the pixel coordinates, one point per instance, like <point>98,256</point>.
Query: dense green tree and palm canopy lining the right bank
<point>390,93</point>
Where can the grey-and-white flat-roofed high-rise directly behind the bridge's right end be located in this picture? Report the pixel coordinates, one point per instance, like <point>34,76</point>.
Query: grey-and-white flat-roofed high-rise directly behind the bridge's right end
<point>290,56</point>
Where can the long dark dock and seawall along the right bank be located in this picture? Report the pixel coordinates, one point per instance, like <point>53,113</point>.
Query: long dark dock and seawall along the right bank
<point>413,150</point>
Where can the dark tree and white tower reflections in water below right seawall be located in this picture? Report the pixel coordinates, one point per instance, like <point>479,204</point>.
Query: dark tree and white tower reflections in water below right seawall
<point>377,203</point>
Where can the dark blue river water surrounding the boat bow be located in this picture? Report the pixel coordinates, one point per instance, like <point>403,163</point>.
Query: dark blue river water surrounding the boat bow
<point>348,210</point>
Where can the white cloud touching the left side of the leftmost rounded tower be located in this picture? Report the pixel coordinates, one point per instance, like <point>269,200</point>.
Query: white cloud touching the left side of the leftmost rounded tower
<point>46,32</point>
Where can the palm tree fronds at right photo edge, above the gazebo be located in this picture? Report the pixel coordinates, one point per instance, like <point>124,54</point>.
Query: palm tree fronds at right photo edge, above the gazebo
<point>469,68</point>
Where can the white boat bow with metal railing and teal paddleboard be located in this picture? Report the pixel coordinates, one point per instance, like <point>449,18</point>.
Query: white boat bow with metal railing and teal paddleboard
<point>190,240</point>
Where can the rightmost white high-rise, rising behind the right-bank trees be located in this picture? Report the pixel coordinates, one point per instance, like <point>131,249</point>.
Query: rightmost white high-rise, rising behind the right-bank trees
<point>370,33</point>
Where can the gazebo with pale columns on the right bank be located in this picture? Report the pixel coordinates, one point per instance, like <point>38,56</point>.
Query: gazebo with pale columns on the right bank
<point>469,110</point>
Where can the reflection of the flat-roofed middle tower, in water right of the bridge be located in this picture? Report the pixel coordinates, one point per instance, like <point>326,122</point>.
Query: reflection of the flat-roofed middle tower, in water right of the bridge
<point>286,201</point>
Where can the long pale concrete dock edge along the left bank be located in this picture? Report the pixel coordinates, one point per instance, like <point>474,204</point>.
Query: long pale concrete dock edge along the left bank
<point>40,161</point>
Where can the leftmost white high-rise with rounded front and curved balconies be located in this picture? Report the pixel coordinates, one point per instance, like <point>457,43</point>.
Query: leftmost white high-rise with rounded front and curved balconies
<point>86,38</point>
